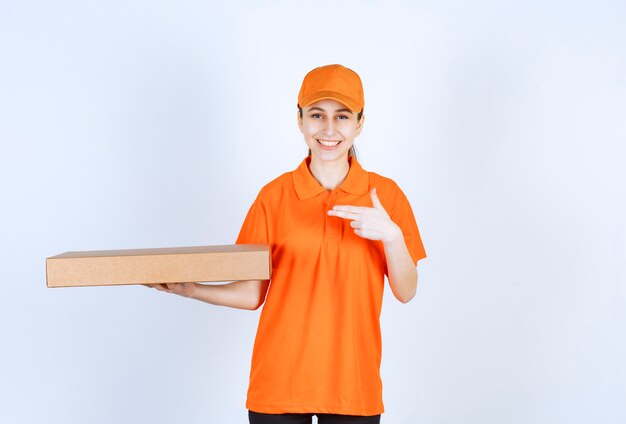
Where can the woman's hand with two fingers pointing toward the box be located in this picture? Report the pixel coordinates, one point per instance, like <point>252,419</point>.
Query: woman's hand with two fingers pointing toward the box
<point>370,223</point>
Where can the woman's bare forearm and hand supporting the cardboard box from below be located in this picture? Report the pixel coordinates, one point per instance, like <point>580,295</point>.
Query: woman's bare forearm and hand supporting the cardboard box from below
<point>238,294</point>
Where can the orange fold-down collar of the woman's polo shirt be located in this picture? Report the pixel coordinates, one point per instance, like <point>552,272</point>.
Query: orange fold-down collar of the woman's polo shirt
<point>356,182</point>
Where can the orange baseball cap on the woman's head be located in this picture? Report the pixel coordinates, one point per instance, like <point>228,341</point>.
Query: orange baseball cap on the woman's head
<point>332,82</point>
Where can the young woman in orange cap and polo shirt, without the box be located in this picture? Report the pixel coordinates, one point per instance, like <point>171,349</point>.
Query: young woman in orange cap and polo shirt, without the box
<point>335,231</point>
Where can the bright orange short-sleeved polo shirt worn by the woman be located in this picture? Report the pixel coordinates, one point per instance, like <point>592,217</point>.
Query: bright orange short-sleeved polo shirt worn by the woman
<point>318,344</point>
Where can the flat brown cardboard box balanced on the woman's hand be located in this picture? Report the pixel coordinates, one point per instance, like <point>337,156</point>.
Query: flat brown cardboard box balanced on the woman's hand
<point>159,265</point>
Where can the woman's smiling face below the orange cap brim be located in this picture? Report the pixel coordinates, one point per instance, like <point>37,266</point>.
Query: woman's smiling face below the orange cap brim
<point>329,129</point>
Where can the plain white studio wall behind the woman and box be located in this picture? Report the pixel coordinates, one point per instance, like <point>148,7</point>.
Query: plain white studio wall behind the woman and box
<point>128,124</point>
